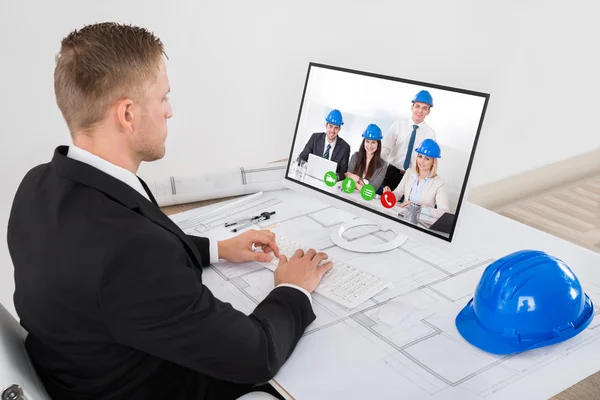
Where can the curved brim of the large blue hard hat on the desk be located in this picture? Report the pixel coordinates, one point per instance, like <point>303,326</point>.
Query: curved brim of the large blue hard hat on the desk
<point>471,330</point>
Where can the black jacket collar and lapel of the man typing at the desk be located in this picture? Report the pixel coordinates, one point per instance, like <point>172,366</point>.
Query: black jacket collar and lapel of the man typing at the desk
<point>121,193</point>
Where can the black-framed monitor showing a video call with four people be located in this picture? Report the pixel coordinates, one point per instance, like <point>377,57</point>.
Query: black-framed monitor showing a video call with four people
<point>398,148</point>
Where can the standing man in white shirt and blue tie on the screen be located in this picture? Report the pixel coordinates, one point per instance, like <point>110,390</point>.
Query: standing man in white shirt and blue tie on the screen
<point>397,147</point>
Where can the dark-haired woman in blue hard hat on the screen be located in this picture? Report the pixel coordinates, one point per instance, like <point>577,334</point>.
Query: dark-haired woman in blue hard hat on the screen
<point>366,165</point>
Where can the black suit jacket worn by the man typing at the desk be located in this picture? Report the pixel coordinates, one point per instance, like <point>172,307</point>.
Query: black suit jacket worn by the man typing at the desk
<point>111,293</point>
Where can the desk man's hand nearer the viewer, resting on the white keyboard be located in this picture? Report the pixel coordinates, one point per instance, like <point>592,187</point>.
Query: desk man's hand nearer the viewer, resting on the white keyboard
<point>302,269</point>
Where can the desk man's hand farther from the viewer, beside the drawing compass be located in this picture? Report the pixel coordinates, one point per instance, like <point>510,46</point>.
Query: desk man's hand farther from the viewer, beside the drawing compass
<point>239,248</point>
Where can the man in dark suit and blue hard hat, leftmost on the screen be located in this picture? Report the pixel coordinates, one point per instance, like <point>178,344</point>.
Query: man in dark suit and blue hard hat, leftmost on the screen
<point>329,144</point>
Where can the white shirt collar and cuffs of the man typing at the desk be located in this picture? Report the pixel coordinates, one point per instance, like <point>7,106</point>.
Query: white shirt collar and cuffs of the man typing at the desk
<point>131,179</point>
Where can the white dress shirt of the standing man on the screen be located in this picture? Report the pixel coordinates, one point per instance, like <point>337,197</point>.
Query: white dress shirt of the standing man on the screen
<point>395,143</point>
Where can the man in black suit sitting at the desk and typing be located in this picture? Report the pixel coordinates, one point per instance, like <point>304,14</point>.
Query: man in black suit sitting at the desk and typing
<point>108,287</point>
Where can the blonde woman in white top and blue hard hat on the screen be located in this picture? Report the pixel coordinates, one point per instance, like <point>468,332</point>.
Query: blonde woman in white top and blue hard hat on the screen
<point>422,185</point>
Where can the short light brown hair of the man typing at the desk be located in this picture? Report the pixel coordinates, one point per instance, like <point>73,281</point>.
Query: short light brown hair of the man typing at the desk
<point>100,64</point>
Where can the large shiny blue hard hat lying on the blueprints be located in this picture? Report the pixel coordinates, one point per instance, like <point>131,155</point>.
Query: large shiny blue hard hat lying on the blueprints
<point>525,300</point>
